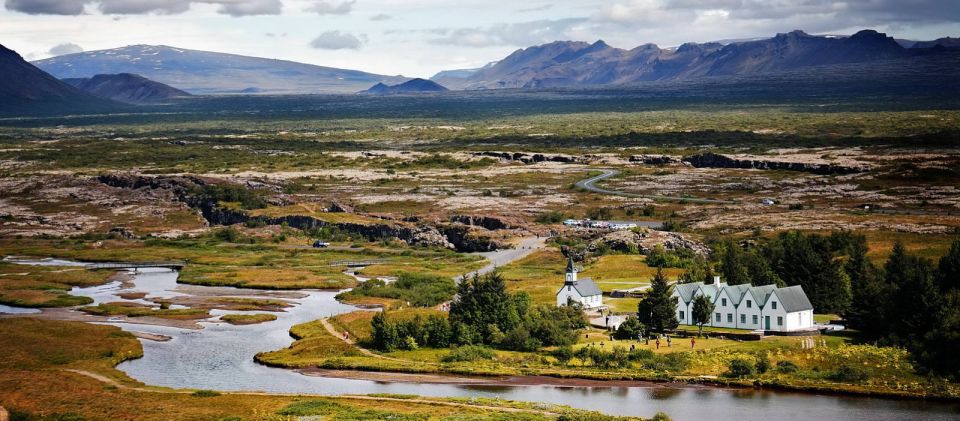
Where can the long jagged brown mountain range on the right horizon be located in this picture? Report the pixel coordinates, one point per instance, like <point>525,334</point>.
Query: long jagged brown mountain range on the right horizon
<point>579,64</point>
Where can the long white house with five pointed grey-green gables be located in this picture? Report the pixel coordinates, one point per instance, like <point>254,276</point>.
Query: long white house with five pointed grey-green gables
<point>765,307</point>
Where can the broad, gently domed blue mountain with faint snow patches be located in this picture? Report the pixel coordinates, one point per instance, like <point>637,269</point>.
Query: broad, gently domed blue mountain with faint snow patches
<point>201,72</point>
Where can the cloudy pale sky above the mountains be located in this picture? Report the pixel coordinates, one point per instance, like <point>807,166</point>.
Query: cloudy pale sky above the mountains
<point>421,37</point>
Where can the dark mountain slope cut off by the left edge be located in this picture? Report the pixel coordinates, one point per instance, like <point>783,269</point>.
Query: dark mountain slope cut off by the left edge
<point>25,90</point>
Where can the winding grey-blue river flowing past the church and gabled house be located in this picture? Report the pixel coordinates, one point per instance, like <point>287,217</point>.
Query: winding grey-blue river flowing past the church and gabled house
<point>220,357</point>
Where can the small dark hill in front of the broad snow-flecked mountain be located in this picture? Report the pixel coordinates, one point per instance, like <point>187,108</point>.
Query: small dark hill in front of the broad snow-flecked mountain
<point>126,87</point>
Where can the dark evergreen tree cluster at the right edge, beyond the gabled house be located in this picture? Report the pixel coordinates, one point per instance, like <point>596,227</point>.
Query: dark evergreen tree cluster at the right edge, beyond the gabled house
<point>910,302</point>
